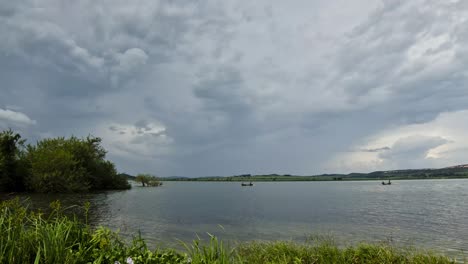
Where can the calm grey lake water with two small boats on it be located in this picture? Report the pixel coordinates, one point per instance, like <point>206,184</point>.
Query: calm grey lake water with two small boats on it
<point>423,213</point>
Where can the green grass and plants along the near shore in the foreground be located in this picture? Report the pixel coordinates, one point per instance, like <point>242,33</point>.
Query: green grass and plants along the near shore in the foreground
<point>34,237</point>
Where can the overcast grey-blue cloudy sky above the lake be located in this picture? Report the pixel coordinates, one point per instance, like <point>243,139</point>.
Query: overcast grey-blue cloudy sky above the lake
<point>204,87</point>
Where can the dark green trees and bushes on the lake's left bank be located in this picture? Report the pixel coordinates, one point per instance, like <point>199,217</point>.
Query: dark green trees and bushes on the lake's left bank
<point>56,165</point>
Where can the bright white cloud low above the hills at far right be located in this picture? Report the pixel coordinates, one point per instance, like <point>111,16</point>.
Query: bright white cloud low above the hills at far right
<point>438,143</point>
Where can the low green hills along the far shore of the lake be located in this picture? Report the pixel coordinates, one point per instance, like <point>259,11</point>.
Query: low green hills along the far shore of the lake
<point>454,172</point>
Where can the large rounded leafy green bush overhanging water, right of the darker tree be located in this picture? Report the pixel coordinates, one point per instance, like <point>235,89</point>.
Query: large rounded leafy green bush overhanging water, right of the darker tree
<point>72,165</point>
